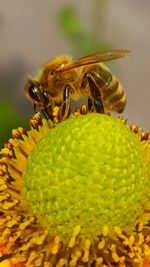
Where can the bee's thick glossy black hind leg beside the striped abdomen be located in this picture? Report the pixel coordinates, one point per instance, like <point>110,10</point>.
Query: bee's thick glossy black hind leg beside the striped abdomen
<point>95,93</point>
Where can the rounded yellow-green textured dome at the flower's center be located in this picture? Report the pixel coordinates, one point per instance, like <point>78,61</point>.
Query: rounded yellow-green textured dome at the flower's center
<point>89,170</point>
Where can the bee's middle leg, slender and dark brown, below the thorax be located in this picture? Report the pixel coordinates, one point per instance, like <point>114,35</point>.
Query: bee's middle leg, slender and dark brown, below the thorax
<point>65,109</point>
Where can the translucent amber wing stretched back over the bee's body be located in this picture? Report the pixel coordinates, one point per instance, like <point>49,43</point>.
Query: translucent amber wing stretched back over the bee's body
<point>96,58</point>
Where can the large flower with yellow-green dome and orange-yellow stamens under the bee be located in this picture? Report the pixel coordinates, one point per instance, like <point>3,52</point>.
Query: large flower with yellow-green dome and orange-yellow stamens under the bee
<point>75,193</point>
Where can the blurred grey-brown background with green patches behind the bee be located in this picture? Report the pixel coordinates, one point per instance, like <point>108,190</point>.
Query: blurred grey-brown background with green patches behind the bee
<point>33,32</point>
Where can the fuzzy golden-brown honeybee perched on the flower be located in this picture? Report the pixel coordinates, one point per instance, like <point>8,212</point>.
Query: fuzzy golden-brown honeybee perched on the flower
<point>60,80</point>
